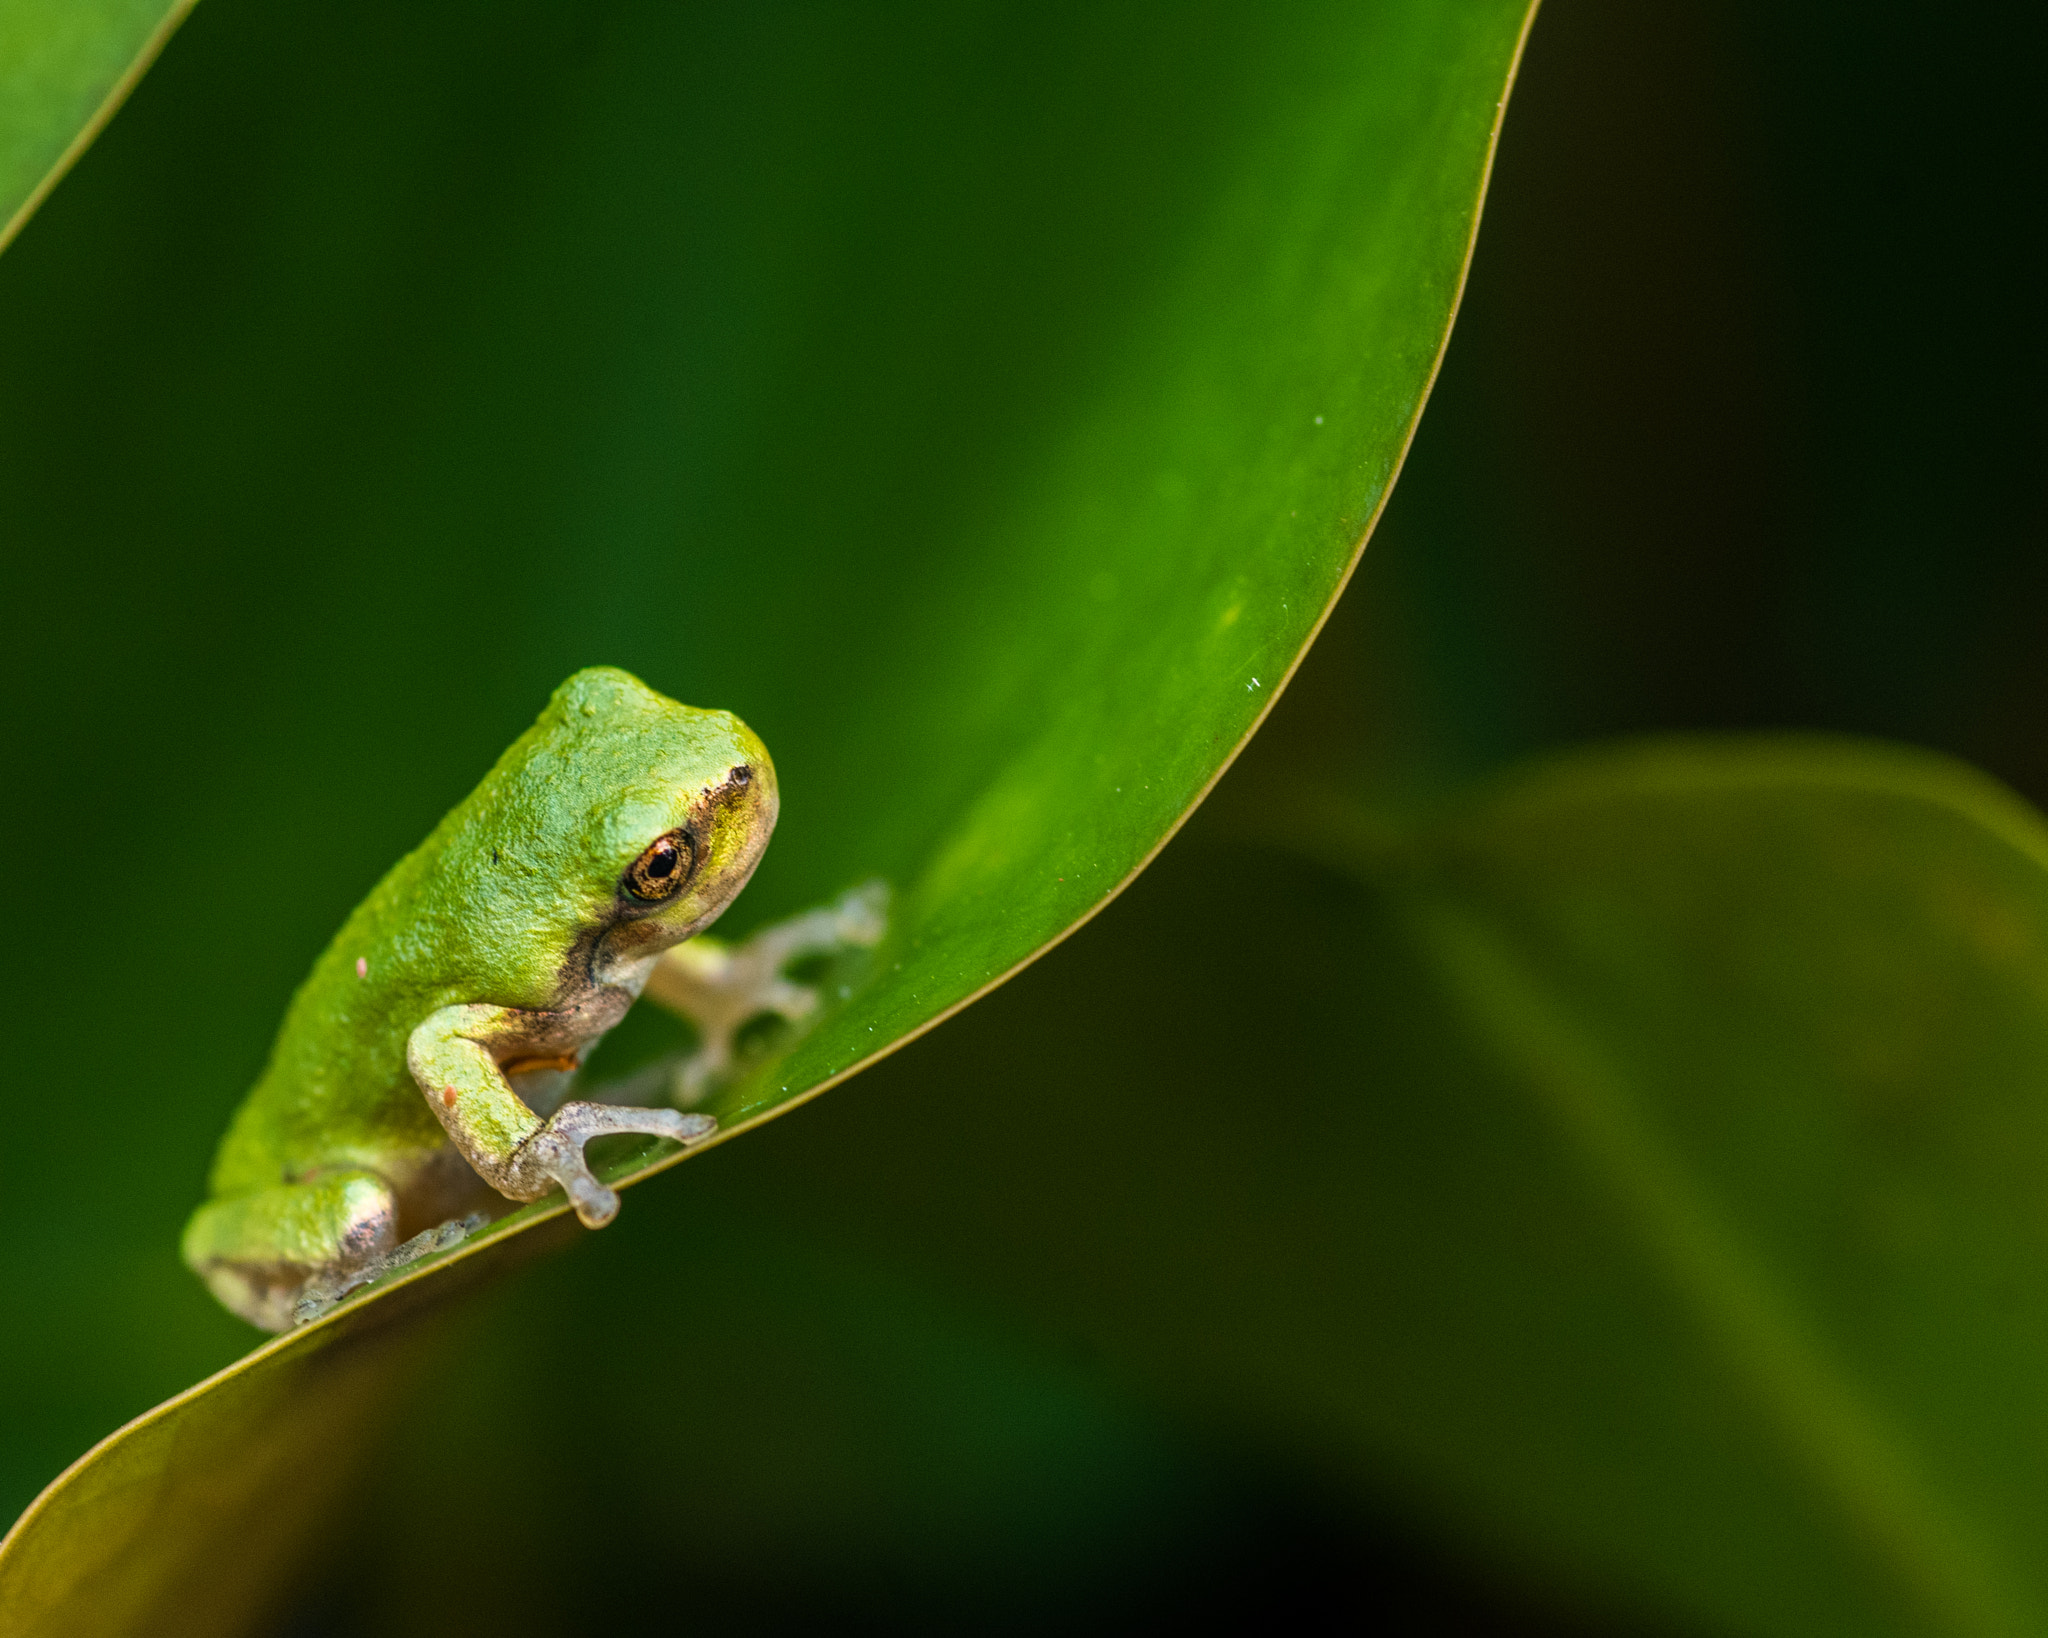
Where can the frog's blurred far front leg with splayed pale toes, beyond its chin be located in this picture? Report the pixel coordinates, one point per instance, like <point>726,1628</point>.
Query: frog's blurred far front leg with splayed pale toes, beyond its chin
<point>724,986</point>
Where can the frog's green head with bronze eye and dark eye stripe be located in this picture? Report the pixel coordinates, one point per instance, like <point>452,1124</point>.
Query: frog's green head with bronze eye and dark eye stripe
<point>669,812</point>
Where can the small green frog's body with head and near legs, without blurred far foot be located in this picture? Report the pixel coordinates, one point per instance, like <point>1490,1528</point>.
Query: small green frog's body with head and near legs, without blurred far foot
<point>507,943</point>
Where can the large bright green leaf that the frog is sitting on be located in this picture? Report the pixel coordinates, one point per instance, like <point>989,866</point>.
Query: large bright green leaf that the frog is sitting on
<point>984,402</point>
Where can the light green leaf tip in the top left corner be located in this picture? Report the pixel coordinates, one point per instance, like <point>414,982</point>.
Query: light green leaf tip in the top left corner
<point>65,71</point>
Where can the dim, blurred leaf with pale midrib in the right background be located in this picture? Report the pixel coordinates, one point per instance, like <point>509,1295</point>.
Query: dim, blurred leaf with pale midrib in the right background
<point>1641,1166</point>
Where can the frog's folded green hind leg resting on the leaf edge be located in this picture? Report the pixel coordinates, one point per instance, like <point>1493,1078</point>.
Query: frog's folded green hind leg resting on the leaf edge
<point>257,1252</point>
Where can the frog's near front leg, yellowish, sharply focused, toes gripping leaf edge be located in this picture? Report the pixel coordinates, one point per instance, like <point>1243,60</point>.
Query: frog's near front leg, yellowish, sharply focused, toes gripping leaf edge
<point>454,1055</point>
